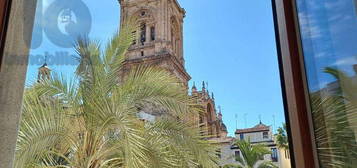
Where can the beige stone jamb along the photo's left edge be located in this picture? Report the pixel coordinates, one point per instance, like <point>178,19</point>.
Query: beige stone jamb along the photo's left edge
<point>12,75</point>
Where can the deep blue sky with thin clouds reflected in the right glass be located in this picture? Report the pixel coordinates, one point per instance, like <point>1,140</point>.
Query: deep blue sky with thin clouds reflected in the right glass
<point>329,36</point>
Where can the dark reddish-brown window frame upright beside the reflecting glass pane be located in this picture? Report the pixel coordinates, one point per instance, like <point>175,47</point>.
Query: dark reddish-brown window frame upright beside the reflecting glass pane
<point>294,85</point>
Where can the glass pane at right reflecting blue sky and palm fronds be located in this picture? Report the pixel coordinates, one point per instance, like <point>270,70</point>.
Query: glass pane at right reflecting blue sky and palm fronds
<point>329,36</point>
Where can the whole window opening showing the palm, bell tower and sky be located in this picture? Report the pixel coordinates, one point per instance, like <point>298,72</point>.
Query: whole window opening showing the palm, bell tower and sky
<point>99,97</point>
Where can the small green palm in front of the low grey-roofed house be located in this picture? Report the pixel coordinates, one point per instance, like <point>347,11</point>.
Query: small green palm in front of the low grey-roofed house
<point>251,156</point>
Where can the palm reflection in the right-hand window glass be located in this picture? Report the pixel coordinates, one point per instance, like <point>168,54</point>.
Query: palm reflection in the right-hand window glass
<point>335,122</point>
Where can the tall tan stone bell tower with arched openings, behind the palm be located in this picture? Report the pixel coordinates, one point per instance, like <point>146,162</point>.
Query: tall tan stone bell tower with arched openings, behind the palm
<point>159,37</point>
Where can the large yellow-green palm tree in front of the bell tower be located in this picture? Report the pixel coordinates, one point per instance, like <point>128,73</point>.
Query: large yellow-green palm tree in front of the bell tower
<point>92,121</point>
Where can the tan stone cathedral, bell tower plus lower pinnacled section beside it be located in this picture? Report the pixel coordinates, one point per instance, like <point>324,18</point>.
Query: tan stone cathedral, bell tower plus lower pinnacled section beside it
<point>159,43</point>
